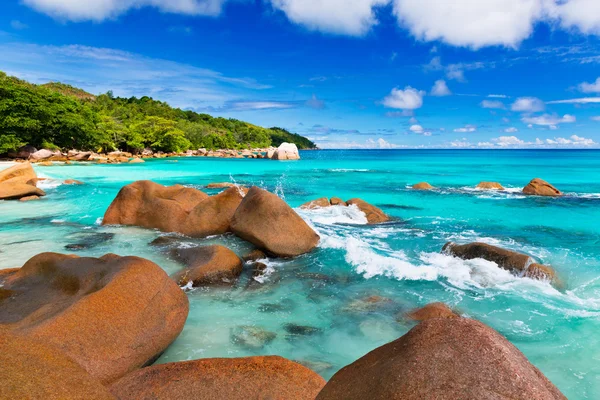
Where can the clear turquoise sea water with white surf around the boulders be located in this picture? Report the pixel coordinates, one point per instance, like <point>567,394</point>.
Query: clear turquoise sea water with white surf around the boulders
<point>400,261</point>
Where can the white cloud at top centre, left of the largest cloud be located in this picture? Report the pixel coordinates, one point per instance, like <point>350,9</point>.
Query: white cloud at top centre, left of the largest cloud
<point>349,17</point>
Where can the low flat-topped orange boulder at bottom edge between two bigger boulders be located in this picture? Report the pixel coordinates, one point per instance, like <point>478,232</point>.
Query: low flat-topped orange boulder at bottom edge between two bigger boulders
<point>270,377</point>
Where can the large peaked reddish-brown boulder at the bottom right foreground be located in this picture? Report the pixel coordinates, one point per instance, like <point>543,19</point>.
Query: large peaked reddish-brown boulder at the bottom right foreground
<point>444,359</point>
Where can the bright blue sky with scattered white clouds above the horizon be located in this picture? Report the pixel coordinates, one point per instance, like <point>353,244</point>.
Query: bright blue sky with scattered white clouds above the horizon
<point>345,73</point>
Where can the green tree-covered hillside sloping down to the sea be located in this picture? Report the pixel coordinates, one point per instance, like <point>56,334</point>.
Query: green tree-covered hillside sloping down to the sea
<point>56,115</point>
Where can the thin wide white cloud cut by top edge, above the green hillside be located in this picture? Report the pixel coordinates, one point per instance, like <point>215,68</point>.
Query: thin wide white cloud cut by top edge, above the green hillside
<point>99,10</point>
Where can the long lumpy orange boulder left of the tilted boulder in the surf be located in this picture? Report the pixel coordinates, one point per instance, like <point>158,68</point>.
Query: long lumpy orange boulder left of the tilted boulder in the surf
<point>173,209</point>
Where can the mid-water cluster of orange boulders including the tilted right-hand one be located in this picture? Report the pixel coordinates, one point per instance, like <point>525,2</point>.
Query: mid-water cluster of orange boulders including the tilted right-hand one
<point>259,217</point>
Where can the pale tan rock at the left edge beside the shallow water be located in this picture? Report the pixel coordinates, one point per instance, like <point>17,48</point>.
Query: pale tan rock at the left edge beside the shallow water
<point>19,181</point>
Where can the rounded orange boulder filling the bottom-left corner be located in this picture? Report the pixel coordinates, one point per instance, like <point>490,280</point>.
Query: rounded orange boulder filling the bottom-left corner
<point>35,370</point>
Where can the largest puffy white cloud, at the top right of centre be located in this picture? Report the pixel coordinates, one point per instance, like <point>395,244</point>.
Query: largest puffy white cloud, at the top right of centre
<point>472,23</point>
